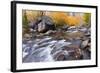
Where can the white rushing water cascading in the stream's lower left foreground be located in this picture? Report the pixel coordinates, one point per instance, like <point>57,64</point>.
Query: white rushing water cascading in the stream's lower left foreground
<point>41,50</point>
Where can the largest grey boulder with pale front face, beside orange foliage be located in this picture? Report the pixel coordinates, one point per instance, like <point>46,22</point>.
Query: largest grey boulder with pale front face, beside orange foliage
<point>45,24</point>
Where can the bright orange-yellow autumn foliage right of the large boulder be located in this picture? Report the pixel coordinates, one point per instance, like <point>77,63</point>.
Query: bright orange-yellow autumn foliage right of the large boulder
<point>62,18</point>
